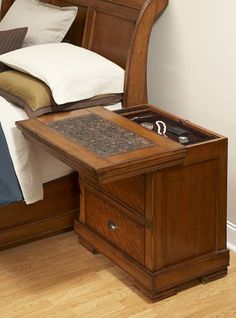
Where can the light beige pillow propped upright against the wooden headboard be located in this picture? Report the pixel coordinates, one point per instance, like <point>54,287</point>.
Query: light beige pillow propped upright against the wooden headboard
<point>46,23</point>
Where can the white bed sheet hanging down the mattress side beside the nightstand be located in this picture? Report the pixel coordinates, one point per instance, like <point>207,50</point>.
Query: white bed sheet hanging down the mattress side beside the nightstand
<point>33,166</point>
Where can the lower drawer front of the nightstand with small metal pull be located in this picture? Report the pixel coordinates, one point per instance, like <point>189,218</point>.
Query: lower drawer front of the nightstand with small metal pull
<point>118,229</point>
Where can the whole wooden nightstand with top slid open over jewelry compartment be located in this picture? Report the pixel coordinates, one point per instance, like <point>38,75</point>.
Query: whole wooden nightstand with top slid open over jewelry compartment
<point>154,206</point>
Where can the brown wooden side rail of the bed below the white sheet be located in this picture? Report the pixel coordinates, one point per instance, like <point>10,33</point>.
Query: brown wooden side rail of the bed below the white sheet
<point>20,223</point>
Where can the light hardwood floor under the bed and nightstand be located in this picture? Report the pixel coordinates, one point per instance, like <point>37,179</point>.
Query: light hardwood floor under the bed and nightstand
<point>57,277</point>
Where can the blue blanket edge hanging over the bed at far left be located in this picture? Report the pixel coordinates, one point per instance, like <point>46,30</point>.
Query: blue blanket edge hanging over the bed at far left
<point>9,187</point>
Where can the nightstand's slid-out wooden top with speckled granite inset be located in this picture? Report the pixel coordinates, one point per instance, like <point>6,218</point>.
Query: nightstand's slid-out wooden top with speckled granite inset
<point>101,144</point>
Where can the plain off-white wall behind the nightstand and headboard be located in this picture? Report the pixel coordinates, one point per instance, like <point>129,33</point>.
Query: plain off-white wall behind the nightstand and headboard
<point>192,72</point>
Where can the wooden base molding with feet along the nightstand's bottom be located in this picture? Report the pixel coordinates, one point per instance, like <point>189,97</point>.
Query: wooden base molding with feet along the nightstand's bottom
<point>165,282</point>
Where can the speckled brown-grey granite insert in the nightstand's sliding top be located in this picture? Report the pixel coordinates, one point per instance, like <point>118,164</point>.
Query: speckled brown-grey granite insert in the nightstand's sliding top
<point>100,136</point>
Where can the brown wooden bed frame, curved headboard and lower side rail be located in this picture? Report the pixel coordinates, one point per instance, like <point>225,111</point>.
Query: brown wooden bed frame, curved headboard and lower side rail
<point>93,29</point>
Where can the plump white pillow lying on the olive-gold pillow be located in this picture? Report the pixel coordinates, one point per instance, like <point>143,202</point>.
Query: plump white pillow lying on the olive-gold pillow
<point>72,73</point>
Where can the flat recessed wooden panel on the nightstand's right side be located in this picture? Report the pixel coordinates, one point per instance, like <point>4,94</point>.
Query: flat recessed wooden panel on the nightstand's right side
<point>195,220</point>
